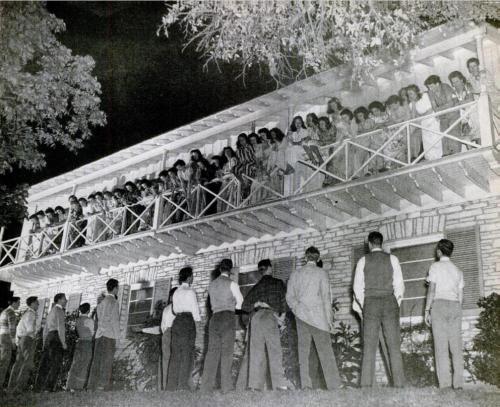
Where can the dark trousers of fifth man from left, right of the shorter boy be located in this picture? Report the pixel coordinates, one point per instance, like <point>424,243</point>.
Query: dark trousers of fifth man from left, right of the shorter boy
<point>102,364</point>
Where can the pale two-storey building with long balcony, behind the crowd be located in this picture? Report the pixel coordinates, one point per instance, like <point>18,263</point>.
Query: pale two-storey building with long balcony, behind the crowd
<point>414,204</point>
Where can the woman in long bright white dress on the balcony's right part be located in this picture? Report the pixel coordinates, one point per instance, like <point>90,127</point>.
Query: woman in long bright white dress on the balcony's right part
<point>420,105</point>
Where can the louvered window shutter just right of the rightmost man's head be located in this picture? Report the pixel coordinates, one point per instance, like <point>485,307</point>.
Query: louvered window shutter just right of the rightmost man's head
<point>467,258</point>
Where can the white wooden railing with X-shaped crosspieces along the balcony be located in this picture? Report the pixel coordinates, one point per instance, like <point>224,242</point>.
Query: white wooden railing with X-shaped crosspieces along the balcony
<point>224,195</point>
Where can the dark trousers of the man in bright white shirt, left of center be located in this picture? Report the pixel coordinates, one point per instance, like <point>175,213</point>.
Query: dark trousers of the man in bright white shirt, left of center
<point>182,352</point>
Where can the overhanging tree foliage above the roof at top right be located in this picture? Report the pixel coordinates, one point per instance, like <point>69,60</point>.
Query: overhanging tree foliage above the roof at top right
<point>295,39</point>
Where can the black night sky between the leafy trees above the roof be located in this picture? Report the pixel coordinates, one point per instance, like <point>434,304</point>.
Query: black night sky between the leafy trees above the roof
<point>149,86</point>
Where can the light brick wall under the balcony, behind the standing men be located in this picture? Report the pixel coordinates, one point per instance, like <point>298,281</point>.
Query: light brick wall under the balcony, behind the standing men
<point>336,246</point>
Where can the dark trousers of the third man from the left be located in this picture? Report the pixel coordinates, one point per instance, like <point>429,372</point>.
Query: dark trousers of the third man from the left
<point>51,362</point>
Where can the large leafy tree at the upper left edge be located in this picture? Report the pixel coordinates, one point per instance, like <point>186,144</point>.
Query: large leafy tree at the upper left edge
<point>48,96</point>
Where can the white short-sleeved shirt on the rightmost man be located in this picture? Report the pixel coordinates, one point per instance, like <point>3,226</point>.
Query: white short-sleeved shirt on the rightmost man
<point>448,278</point>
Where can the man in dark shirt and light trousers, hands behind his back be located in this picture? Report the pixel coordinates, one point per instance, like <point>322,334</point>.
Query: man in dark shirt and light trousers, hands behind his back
<point>266,302</point>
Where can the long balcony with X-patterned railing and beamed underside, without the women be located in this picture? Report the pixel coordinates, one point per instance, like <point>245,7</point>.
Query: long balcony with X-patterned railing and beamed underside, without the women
<point>175,223</point>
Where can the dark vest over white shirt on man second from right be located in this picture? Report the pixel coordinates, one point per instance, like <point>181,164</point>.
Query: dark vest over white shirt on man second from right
<point>378,274</point>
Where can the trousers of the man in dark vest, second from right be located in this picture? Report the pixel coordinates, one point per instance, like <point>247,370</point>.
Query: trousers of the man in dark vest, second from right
<point>381,312</point>
